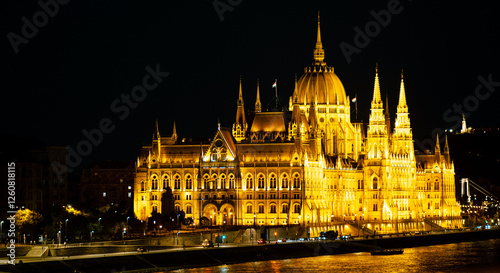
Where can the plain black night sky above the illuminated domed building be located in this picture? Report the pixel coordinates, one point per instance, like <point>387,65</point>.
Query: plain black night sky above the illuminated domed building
<point>84,57</point>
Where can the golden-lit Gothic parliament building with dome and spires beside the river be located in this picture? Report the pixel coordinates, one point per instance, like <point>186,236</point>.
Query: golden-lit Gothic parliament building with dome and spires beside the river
<point>309,166</point>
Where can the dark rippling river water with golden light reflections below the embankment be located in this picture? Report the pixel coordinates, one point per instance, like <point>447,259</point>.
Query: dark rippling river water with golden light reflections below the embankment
<point>482,256</point>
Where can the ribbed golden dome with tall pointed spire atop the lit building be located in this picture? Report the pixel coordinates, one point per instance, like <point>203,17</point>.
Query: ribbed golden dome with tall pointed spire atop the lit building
<point>319,83</point>
